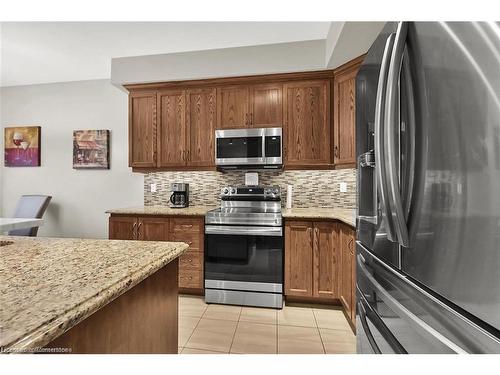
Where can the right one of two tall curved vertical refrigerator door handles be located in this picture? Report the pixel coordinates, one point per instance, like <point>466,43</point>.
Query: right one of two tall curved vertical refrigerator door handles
<point>391,117</point>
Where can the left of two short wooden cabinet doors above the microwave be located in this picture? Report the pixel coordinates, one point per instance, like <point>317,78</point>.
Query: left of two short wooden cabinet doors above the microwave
<point>232,107</point>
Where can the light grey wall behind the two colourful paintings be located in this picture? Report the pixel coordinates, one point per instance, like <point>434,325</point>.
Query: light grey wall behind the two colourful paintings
<point>80,197</point>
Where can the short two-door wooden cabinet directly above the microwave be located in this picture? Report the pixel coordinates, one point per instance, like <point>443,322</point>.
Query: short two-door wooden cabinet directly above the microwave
<point>246,106</point>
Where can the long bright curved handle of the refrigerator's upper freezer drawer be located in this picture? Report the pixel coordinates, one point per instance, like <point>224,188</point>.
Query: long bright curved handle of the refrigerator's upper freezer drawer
<point>403,312</point>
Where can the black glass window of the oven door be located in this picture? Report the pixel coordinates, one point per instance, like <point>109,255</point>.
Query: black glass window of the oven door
<point>244,258</point>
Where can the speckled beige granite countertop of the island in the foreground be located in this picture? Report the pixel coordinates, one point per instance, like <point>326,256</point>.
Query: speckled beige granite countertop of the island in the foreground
<point>48,285</point>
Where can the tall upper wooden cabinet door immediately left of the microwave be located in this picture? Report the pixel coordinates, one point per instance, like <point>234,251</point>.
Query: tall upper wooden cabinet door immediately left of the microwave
<point>201,119</point>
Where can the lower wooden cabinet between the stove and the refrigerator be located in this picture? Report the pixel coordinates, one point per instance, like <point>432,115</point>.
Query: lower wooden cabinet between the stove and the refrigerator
<point>320,263</point>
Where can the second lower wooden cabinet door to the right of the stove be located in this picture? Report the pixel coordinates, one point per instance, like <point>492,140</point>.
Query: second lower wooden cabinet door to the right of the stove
<point>326,260</point>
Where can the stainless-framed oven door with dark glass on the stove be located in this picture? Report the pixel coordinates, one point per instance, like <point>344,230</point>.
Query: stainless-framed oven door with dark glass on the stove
<point>244,258</point>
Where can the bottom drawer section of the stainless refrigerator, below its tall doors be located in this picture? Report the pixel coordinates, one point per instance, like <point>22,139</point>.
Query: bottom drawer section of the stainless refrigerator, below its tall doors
<point>395,315</point>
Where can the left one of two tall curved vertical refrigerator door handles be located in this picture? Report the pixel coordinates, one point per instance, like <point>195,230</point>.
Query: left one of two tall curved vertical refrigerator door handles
<point>380,164</point>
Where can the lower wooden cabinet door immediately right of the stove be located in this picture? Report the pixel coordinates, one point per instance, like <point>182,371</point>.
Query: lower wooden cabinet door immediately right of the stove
<point>298,258</point>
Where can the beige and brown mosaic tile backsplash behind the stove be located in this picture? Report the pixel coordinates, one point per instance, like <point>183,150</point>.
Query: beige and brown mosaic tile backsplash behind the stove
<point>311,188</point>
